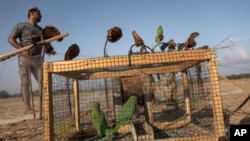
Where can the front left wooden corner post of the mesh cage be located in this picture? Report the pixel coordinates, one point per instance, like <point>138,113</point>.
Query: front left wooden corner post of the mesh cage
<point>48,105</point>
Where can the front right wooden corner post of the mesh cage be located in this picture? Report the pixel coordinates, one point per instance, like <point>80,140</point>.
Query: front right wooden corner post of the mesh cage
<point>216,97</point>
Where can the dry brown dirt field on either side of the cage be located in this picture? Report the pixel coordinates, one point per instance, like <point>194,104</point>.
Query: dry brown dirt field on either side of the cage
<point>15,125</point>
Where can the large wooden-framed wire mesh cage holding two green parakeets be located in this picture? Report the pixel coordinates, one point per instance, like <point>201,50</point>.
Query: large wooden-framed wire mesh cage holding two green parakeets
<point>178,97</point>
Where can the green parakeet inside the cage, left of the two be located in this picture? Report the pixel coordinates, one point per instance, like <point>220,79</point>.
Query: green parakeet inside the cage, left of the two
<point>98,119</point>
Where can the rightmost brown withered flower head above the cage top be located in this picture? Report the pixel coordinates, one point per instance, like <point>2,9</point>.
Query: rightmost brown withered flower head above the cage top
<point>190,42</point>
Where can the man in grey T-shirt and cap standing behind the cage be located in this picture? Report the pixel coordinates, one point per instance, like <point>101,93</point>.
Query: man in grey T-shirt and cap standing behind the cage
<point>29,61</point>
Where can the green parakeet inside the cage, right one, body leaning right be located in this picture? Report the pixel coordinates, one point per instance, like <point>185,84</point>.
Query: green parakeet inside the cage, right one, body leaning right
<point>125,115</point>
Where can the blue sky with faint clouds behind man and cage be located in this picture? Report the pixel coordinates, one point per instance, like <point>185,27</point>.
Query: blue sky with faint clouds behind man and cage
<point>221,23</point>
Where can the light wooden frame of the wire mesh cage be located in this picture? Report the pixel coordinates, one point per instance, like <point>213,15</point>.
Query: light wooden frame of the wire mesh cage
<point>187,58</point>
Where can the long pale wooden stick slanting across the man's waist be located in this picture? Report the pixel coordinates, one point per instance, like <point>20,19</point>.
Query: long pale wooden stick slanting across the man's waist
<point>17,51</point>
